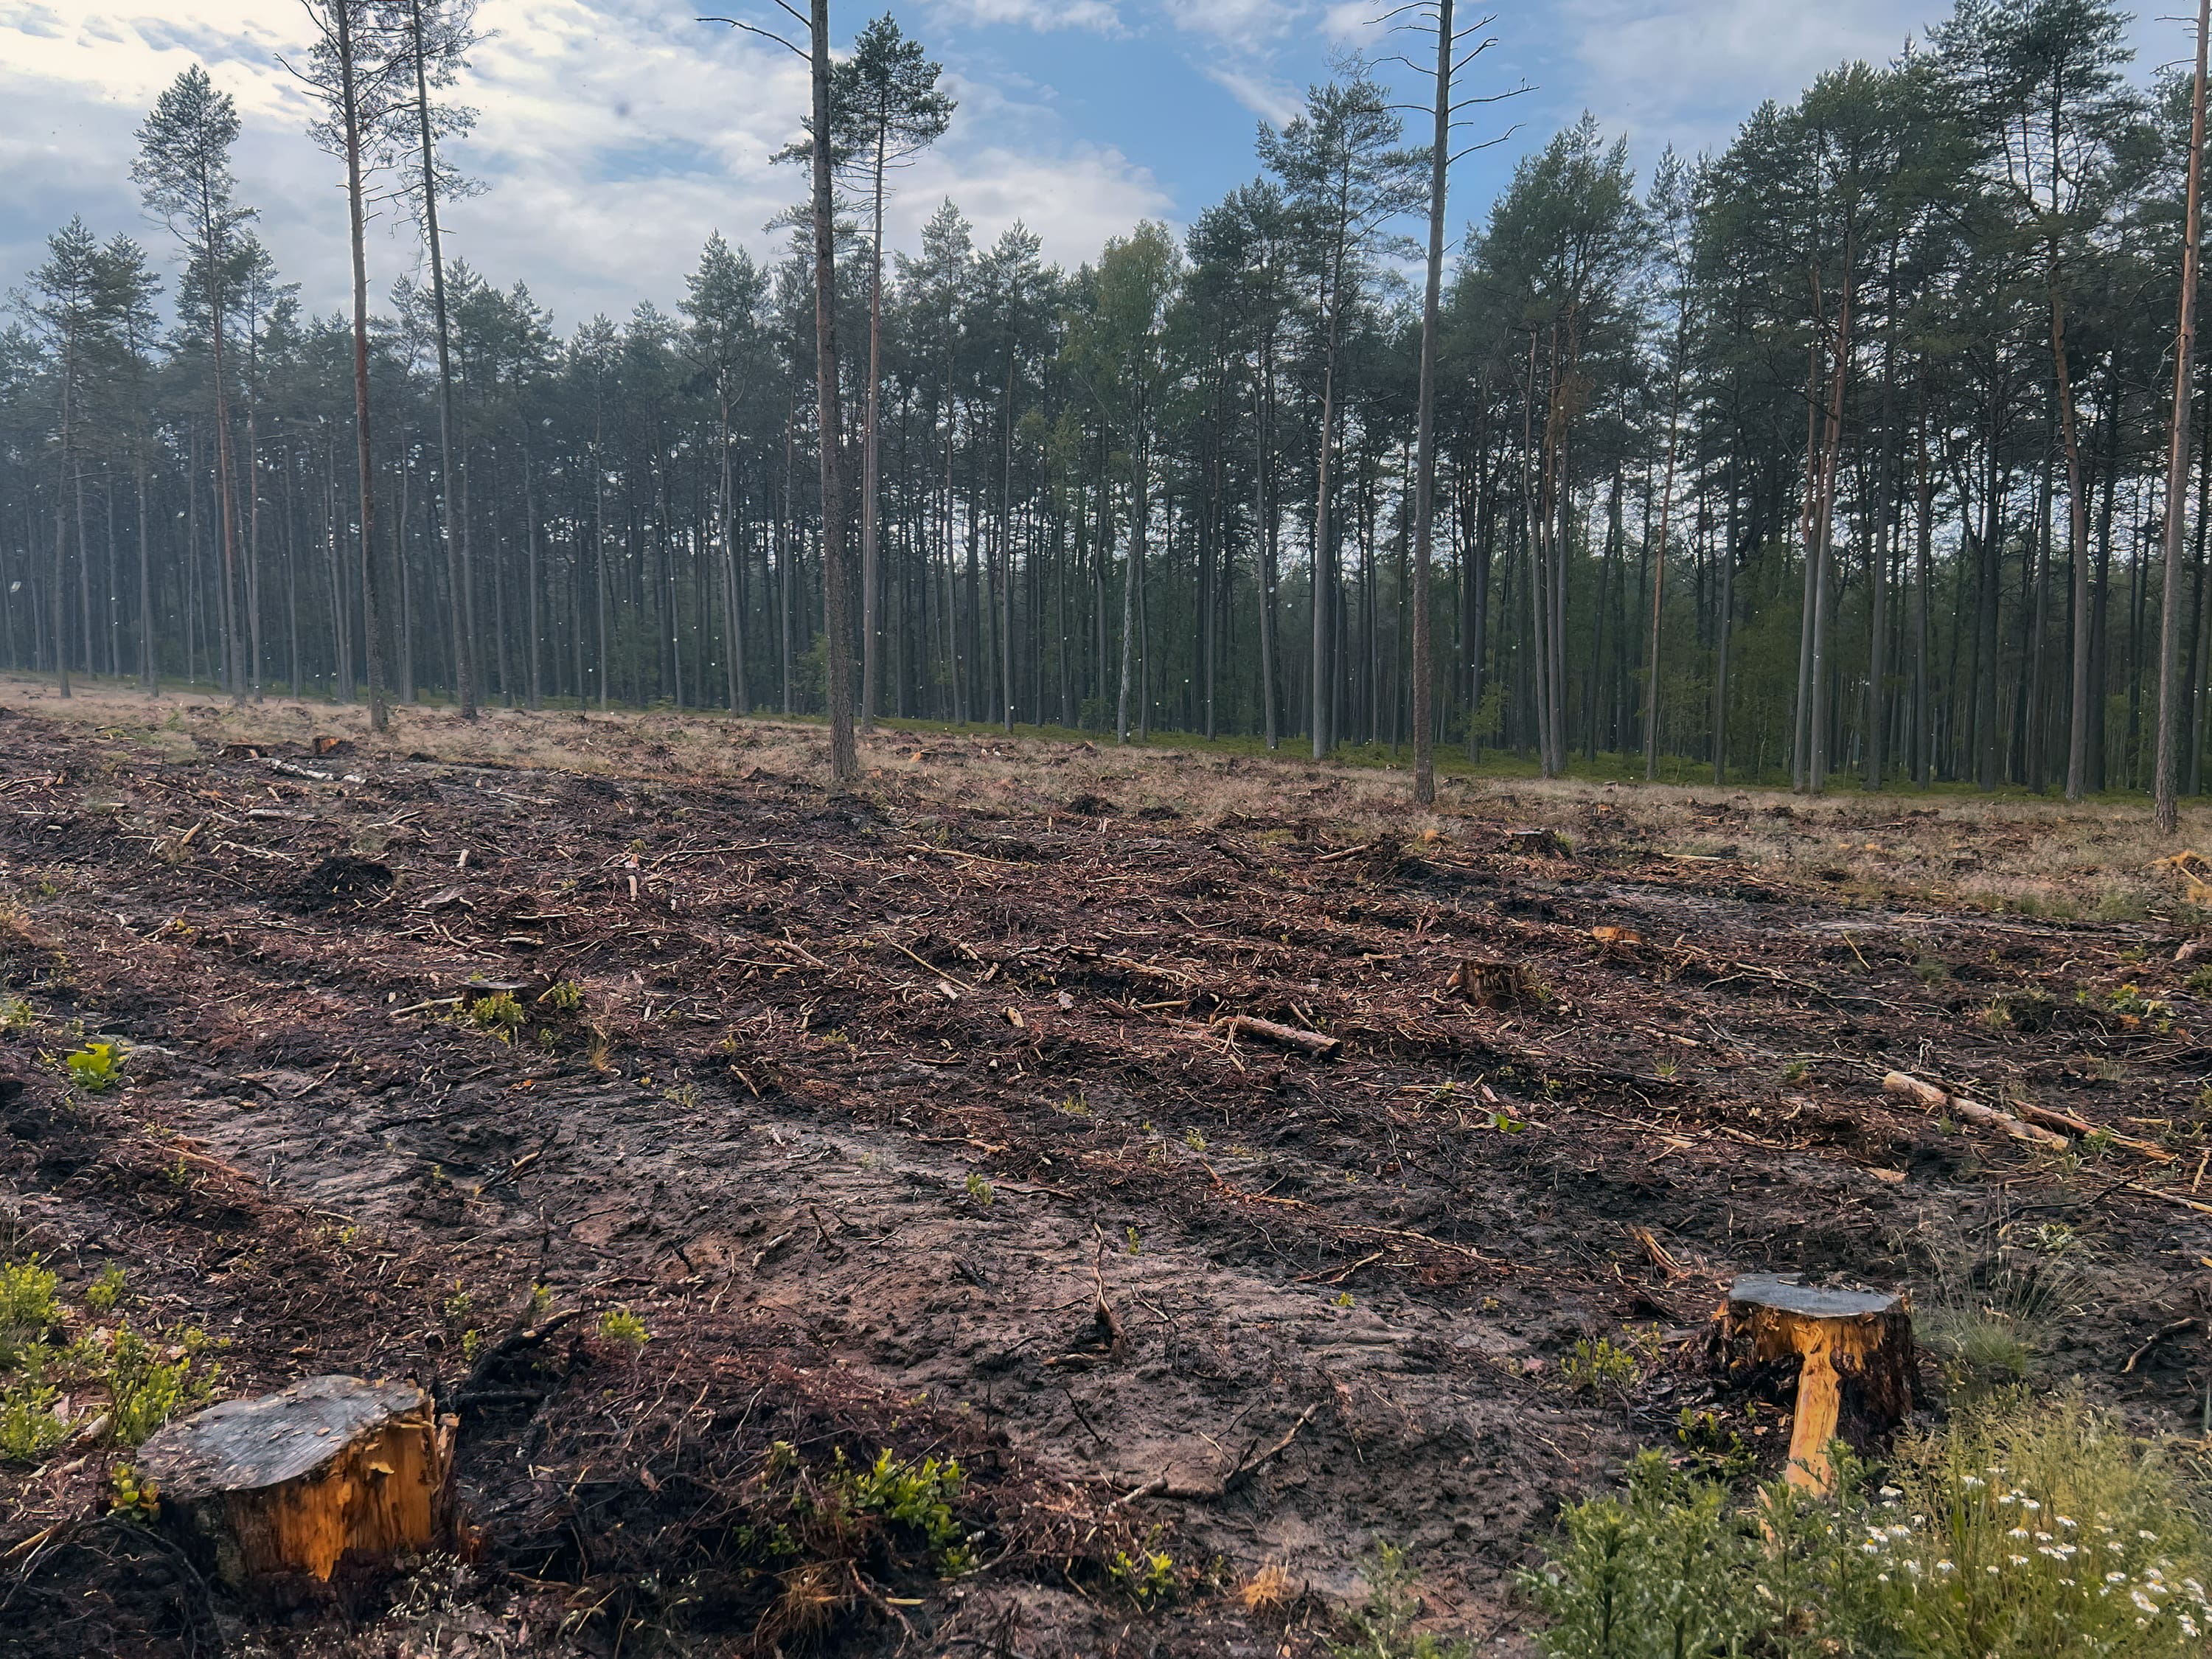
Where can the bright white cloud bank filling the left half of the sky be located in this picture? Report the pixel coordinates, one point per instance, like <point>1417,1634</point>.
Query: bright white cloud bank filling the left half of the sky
<point>614,136</point>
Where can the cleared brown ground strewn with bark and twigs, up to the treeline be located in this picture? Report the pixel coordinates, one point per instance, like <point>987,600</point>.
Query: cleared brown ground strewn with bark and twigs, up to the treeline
<point>912,1125</point>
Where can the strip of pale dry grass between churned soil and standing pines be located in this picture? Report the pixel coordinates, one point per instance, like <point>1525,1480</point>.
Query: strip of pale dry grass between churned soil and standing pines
<point>1943,851</point>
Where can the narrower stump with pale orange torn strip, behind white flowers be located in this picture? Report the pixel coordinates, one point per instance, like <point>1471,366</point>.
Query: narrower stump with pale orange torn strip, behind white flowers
<point>1857,1361</point>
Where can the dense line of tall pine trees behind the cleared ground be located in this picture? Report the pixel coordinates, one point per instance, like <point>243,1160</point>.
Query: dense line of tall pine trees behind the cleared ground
<point>1841,450</point>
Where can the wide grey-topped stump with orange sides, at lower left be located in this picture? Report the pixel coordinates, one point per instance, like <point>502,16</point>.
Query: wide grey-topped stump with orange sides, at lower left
<point>298,1481</point>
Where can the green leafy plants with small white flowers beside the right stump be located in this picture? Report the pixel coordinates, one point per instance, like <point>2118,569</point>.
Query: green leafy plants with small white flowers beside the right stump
<point>2027,1530</point>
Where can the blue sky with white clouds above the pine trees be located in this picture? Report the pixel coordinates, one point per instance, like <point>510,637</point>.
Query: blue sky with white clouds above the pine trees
<point>614,136</point>
